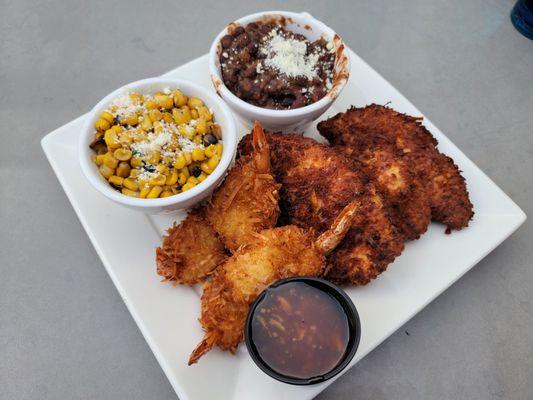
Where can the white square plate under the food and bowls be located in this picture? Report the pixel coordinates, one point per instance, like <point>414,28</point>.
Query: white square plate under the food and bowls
<point>167,315</point>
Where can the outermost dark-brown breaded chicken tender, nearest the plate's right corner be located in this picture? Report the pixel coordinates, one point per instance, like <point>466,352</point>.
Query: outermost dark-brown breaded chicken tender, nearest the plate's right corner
<point>437,176</point>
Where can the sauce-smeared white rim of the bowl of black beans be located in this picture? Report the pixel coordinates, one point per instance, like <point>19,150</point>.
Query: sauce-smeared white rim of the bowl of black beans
<point>223,91</point>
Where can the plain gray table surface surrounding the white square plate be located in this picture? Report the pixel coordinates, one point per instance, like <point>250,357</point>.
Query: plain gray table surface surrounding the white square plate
<point>64,330</point>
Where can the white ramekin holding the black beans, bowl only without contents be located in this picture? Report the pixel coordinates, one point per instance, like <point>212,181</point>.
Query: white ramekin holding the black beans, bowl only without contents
<point>284,120</point>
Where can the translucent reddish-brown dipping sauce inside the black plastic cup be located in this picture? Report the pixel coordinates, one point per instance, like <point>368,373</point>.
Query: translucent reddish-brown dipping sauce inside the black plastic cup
<point>299,330</point>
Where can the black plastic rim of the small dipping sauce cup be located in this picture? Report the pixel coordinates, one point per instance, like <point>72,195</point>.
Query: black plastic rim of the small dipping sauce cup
<point>353,320</point>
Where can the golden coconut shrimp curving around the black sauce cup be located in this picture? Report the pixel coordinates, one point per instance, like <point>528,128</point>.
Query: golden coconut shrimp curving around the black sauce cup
<point>274,254</point>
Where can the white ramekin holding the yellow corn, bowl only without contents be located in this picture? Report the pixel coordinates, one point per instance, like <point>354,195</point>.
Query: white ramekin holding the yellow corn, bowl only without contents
<point>181,201</point>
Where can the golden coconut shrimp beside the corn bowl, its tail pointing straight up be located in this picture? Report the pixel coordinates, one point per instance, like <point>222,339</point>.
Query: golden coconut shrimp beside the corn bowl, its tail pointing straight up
<point>248,201</point>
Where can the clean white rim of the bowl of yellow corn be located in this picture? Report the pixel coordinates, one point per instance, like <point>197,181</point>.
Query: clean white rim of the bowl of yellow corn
<point>229,140</point>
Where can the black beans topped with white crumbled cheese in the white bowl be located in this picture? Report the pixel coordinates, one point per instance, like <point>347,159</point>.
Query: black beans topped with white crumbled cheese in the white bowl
<point>269,66</point>
